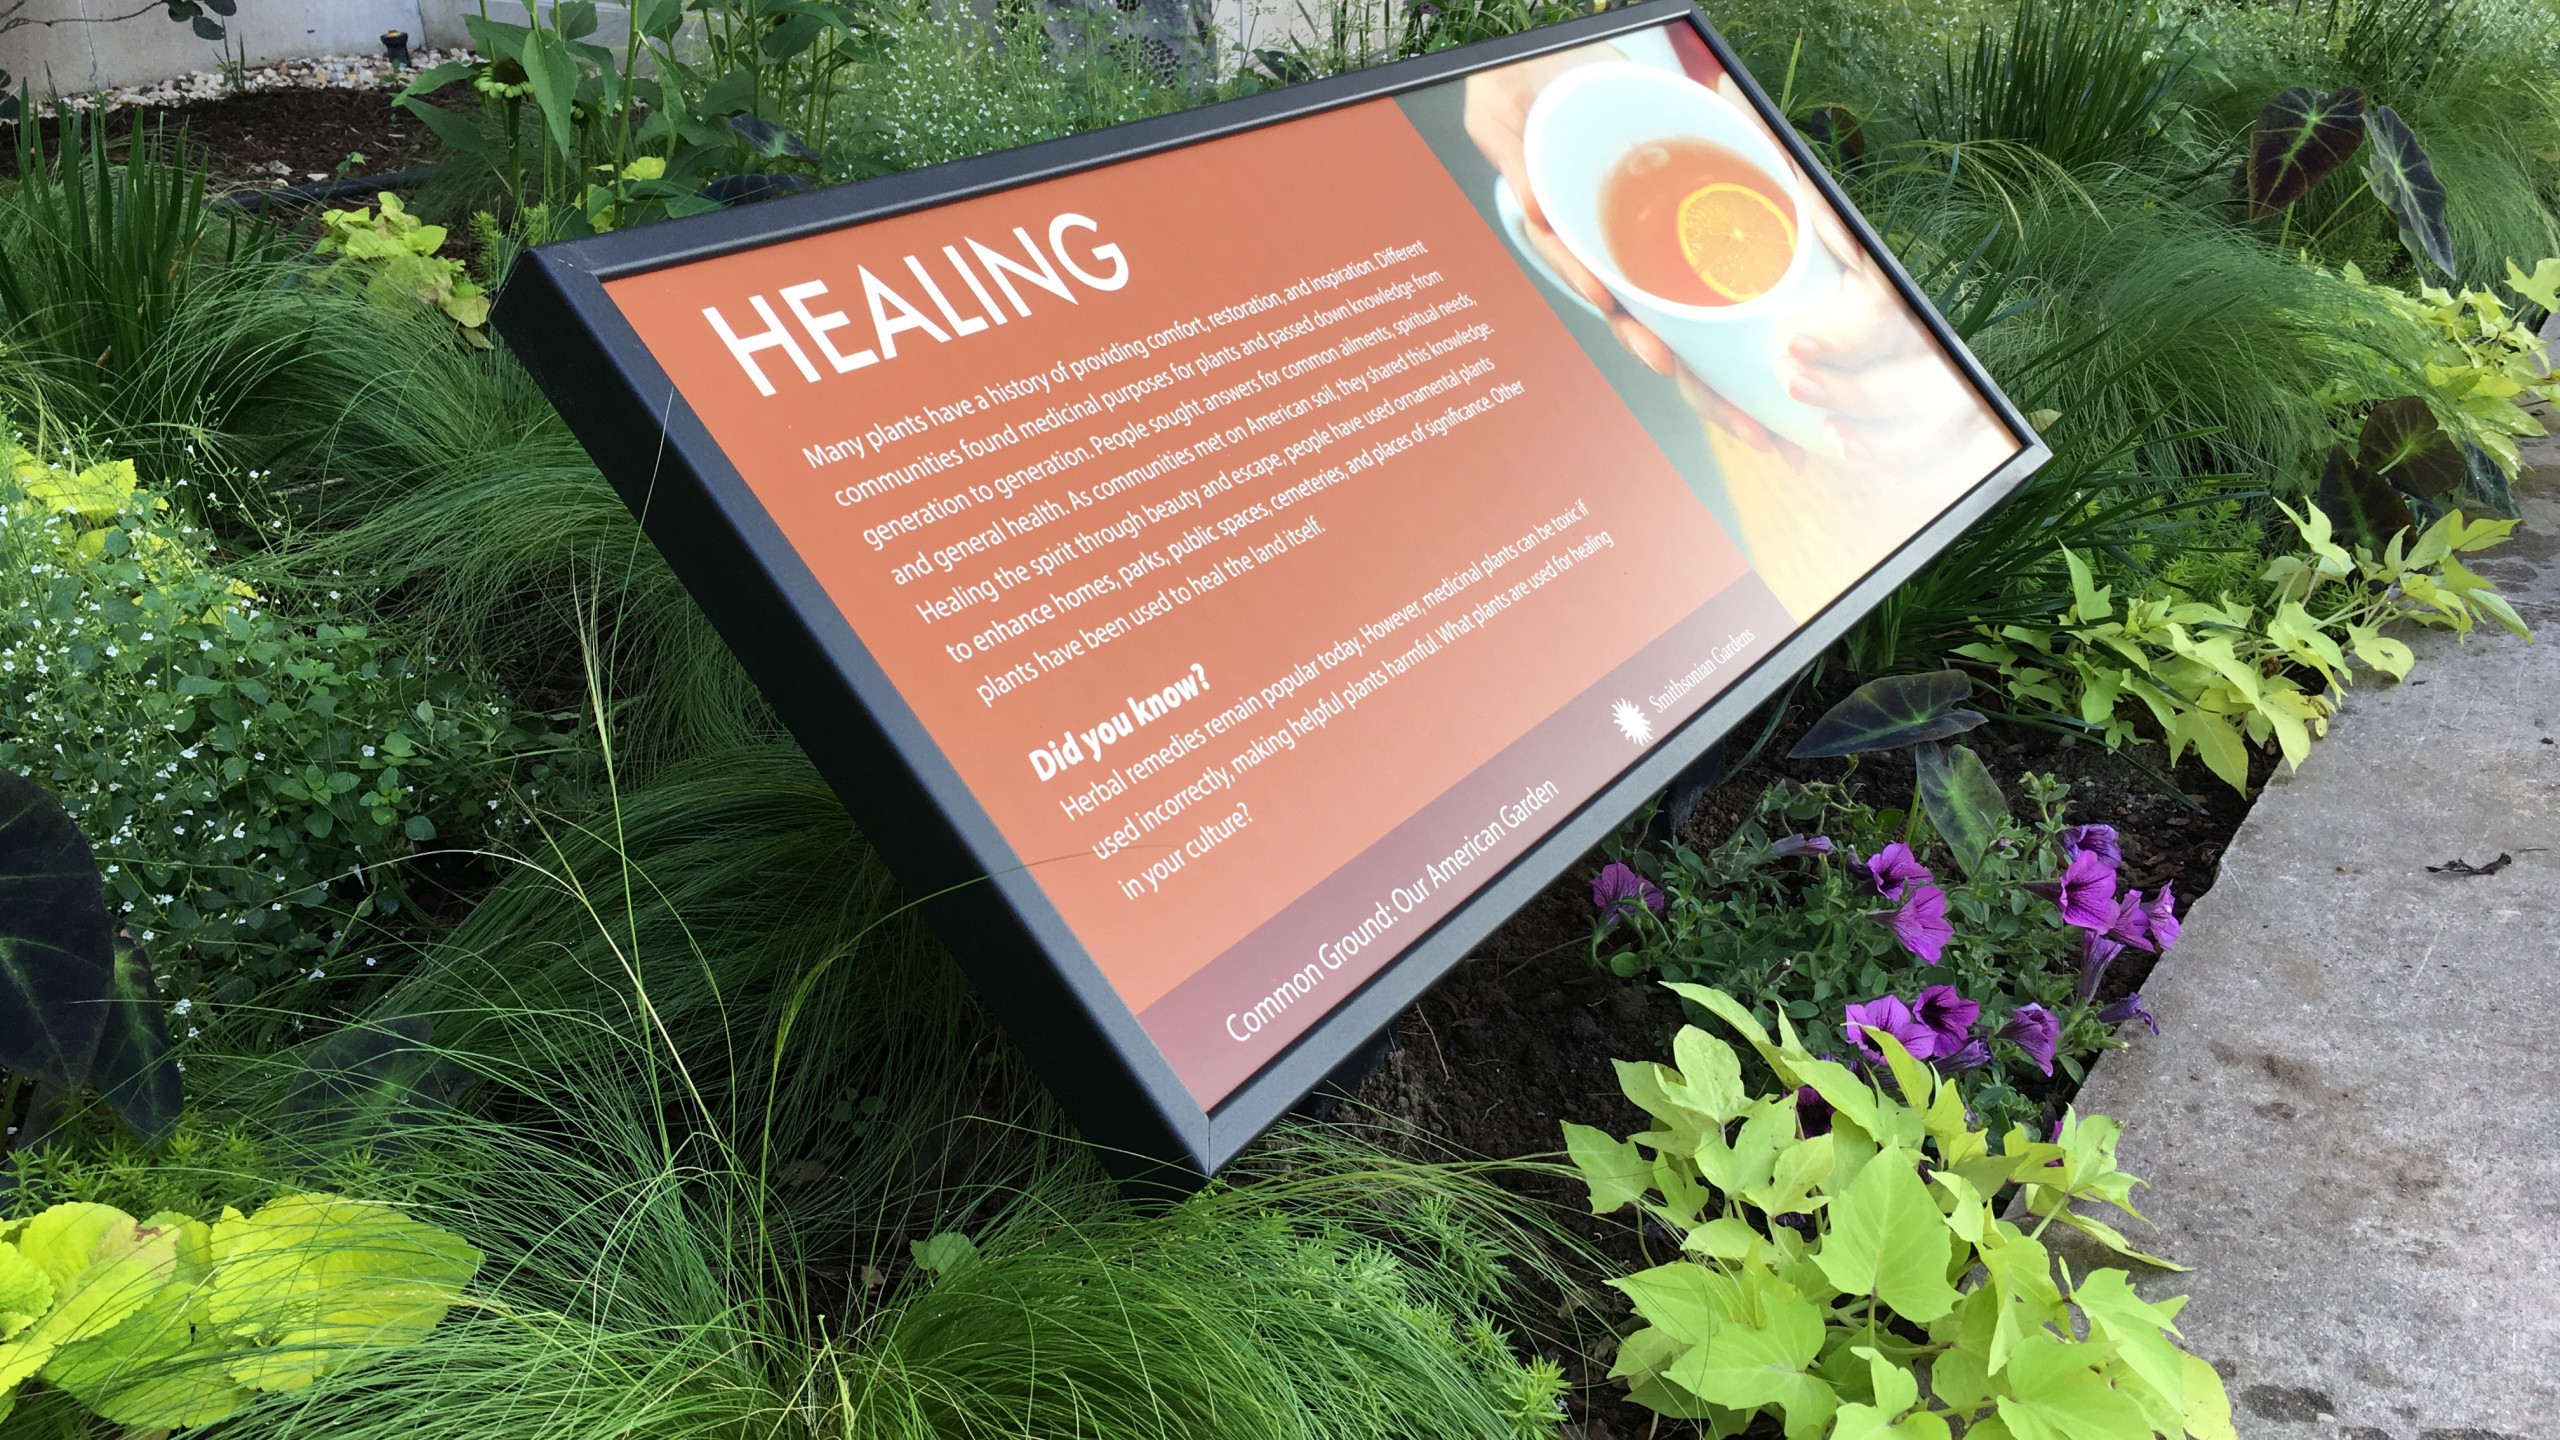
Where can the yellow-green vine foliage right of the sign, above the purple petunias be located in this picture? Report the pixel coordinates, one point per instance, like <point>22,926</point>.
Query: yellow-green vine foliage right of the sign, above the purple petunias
<point>2228,675</point>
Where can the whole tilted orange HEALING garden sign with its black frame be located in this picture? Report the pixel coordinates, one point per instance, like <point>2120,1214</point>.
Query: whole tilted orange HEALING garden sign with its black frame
<point>1235,560</point>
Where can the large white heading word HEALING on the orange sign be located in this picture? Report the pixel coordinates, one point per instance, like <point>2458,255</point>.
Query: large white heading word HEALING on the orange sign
<point>892,309</point>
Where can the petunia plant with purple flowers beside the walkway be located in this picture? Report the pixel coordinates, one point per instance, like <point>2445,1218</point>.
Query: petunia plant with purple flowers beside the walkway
<point>1821,911</point>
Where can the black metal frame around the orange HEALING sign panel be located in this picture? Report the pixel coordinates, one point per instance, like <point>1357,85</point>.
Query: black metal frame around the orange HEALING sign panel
<point>867,742</point>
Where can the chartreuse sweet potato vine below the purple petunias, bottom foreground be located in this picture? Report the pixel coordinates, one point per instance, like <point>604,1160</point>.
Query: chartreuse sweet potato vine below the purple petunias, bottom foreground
<point>1888,1234</point>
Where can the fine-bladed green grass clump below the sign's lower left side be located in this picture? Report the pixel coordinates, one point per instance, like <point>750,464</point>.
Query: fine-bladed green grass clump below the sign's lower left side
<point>749,1162</point>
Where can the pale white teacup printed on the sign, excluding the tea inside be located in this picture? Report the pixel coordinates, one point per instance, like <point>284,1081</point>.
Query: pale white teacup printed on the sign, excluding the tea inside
<point>1578,129</point>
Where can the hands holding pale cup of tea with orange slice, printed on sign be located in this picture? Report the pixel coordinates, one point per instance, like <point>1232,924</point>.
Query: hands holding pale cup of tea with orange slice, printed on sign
<point>1665,206</point>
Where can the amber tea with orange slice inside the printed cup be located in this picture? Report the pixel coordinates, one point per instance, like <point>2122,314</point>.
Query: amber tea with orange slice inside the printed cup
<point>1696,224</point>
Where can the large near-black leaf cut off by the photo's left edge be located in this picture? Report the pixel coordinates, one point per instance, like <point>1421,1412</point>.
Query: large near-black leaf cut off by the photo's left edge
<point>58,952</point>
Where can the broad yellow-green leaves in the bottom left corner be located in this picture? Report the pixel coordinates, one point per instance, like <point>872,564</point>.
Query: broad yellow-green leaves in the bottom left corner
<point>170,1321</point>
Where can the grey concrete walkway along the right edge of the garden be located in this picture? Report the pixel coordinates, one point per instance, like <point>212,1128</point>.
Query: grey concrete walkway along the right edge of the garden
<point>2351,1116</point>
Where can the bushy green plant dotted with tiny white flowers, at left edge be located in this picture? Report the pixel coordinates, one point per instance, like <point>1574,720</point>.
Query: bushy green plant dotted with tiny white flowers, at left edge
<point>250,767</point>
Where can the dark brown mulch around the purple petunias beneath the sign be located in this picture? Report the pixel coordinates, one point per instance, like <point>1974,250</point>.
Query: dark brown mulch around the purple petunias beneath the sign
<point>1522,1034</point>
